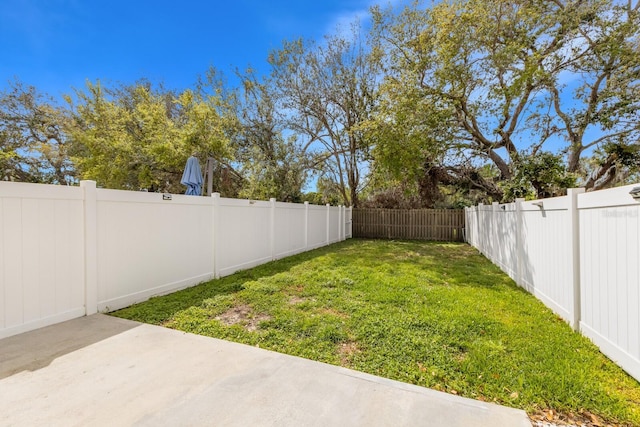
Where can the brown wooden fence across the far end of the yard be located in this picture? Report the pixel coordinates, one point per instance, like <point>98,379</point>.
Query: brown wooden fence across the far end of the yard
<point>420,224</point>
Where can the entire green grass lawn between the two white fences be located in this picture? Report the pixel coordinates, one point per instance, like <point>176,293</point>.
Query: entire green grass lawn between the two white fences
<point>438,315</point>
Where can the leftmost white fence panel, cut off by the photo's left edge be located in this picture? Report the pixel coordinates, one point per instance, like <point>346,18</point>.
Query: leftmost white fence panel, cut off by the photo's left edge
<point>41,256</point>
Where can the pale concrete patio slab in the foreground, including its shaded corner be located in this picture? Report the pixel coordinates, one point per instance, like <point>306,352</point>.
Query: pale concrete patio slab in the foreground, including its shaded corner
<point>101,370</point>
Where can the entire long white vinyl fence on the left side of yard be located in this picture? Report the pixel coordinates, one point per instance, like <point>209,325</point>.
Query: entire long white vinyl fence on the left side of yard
<point>70,251</point>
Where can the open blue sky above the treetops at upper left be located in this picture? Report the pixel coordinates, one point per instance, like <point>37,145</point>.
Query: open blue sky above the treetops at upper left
<point>56,45</point>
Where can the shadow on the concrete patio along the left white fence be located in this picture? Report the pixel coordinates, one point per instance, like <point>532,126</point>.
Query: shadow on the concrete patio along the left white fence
<point>35,350</point>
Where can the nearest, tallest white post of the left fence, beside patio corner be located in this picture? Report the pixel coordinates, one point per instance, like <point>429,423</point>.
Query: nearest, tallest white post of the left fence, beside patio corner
<point>89,194</point>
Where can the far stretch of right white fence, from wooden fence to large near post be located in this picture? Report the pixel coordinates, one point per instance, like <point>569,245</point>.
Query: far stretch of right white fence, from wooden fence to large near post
<point>529,243</point>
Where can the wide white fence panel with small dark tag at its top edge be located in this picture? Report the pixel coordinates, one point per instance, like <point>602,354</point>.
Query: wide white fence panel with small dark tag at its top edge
<point>150,246</point>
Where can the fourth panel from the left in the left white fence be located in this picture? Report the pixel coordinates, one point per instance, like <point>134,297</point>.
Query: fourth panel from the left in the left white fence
<point>290,229</point>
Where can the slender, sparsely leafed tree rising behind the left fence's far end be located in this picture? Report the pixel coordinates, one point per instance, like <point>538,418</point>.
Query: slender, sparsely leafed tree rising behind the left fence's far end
<point>328,91</point>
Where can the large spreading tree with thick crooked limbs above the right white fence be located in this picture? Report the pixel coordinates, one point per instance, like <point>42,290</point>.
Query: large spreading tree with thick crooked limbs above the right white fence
<point>480,82</point>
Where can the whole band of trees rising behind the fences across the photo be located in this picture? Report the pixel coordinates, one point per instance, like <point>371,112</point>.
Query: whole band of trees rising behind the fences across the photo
<point>436,104</point>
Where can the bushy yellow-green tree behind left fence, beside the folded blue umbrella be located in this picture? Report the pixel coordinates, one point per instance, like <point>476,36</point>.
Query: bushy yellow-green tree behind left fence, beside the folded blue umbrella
<point>139,137</point>
